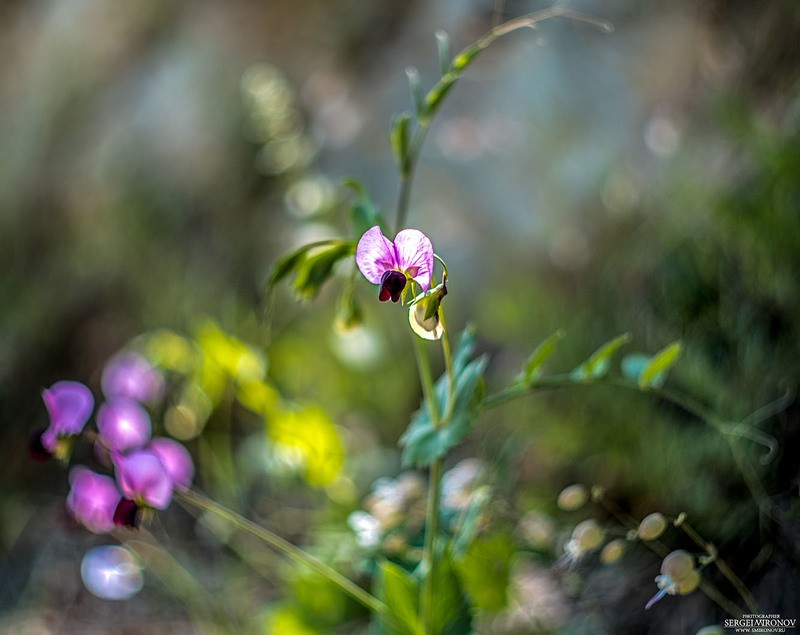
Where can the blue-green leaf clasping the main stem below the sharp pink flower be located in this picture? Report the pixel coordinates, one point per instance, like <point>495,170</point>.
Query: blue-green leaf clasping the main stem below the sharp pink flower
<point>423,441</point>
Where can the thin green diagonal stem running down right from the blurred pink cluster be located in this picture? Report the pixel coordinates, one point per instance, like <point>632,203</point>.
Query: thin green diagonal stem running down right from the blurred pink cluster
<point>291,551</point>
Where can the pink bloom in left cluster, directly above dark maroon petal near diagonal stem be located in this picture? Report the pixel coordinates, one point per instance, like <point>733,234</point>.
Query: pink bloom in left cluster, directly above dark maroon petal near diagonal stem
<point>143,478</point>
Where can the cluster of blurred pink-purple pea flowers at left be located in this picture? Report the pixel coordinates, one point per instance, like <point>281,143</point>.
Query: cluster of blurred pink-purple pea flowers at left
<point>146,469</point>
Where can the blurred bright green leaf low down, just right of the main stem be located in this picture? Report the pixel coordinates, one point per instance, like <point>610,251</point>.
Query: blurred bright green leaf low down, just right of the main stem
<point>485,571</point>
